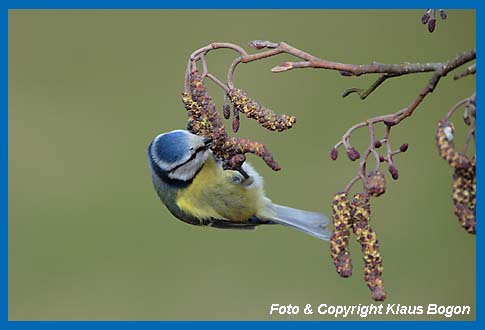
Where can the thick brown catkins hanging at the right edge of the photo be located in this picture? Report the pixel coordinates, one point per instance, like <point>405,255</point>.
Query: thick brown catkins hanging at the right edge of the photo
<point>464,176</point>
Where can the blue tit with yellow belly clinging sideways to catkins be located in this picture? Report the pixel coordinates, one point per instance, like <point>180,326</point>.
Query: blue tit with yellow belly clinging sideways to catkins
<point>192,184</point>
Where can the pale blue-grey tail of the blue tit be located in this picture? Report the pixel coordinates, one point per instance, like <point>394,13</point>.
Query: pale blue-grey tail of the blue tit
<point>312,223</point>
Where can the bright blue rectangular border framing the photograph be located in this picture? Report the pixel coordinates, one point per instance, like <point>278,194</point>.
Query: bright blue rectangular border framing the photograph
<point>248,4</point>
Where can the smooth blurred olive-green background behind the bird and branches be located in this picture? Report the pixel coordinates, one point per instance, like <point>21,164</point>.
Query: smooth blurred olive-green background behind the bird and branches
<point>88,237</point>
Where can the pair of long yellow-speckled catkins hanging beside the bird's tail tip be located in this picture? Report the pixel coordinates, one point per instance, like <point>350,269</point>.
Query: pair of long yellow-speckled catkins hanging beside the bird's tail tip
<point>354,216</point>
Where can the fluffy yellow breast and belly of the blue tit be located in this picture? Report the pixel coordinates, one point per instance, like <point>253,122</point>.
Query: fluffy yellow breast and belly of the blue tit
<point>213,194</point>
